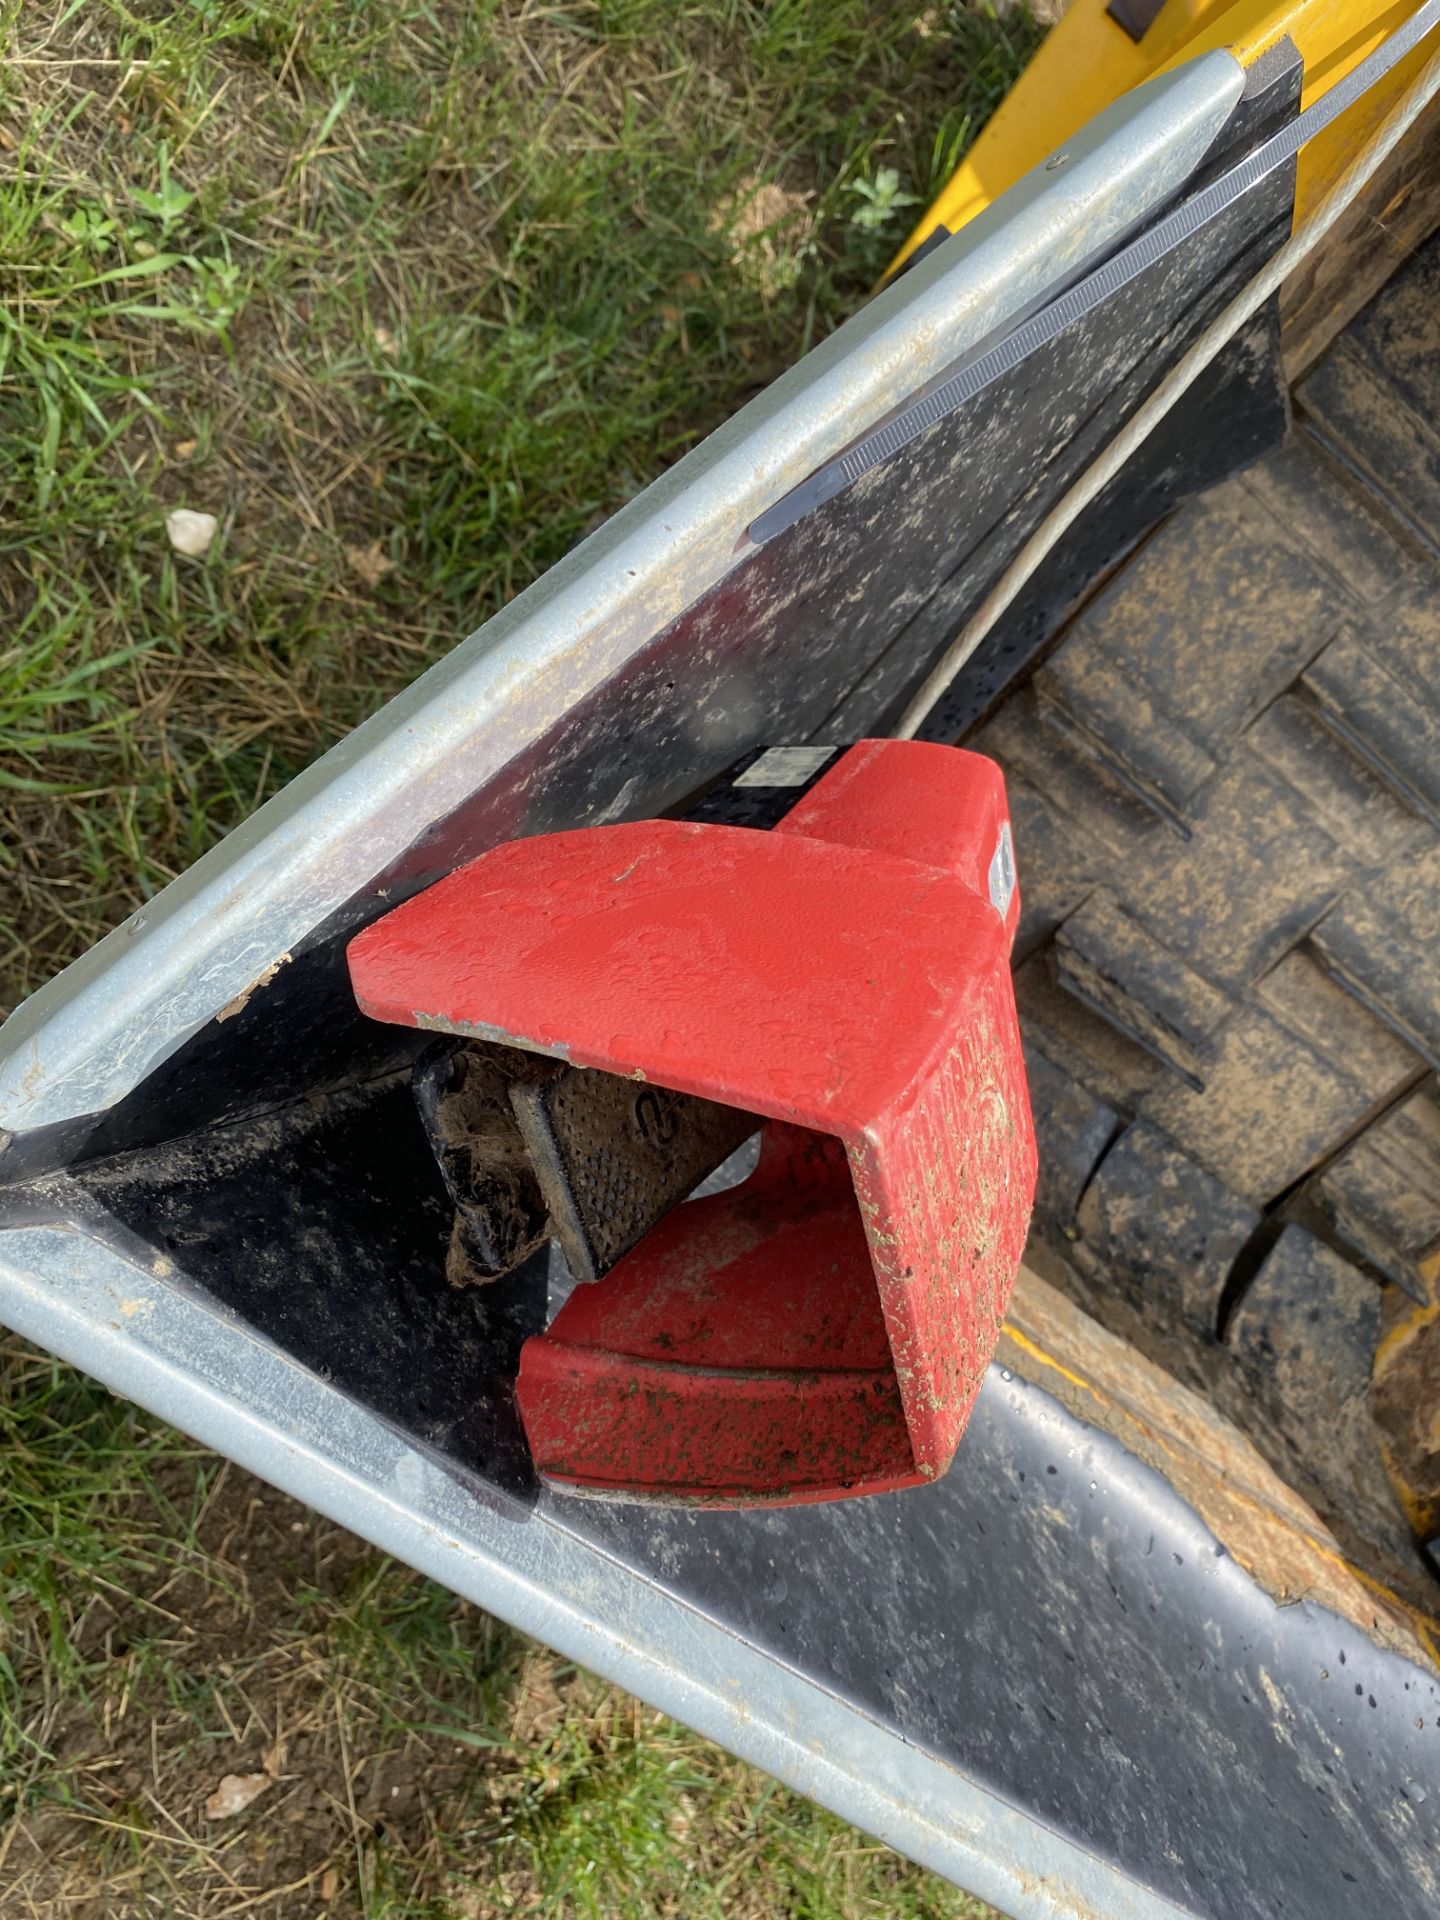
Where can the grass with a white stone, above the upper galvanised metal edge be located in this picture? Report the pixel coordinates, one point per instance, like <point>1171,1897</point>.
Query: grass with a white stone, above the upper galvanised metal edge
<point>439,287</point>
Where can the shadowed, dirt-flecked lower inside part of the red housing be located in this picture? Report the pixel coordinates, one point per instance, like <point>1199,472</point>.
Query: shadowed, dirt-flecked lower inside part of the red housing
<point>738,1355</point>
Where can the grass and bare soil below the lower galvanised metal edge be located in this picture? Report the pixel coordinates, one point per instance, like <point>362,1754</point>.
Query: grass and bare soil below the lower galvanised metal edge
<point>168,1621</point>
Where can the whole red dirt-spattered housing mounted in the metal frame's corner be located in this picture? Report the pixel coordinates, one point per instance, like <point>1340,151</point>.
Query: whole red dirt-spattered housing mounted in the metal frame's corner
<point>821,1330</point>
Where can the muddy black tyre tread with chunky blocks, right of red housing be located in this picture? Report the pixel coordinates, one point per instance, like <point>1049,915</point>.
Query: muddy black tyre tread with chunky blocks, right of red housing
<point>1226,786</point>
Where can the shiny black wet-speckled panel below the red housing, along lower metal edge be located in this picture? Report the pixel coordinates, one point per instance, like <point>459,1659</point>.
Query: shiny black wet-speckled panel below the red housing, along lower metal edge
<point>1057,1623</point>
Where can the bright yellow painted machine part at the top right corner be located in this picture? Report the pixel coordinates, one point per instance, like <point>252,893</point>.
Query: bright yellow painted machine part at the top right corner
<point>1088,62</point>
